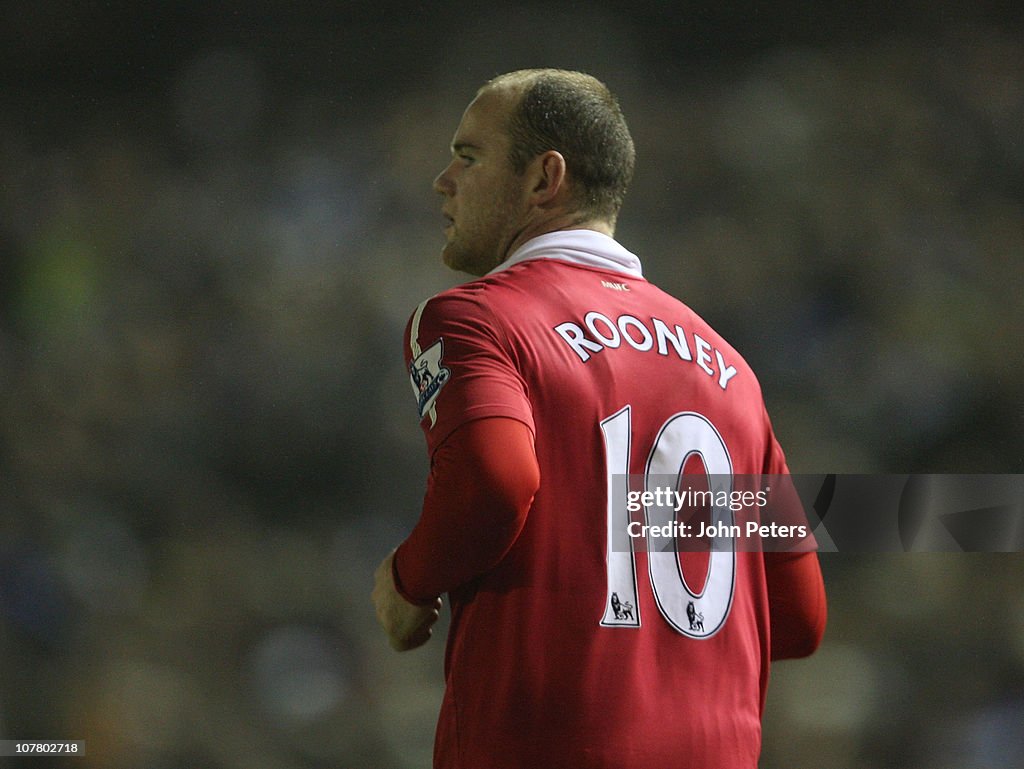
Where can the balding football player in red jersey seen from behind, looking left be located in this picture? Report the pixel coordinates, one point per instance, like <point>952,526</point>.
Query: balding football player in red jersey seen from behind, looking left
<point>559,371</point>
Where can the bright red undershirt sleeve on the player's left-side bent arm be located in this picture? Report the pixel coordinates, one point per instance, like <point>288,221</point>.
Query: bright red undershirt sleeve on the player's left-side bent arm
<point>482,485</point>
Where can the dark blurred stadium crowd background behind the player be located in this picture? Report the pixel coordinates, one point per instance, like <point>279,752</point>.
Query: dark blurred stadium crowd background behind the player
<point>216,220</point>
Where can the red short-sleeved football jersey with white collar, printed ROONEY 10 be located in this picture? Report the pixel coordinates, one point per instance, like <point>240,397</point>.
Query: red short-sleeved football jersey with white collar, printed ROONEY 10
<point>572,653</point>
